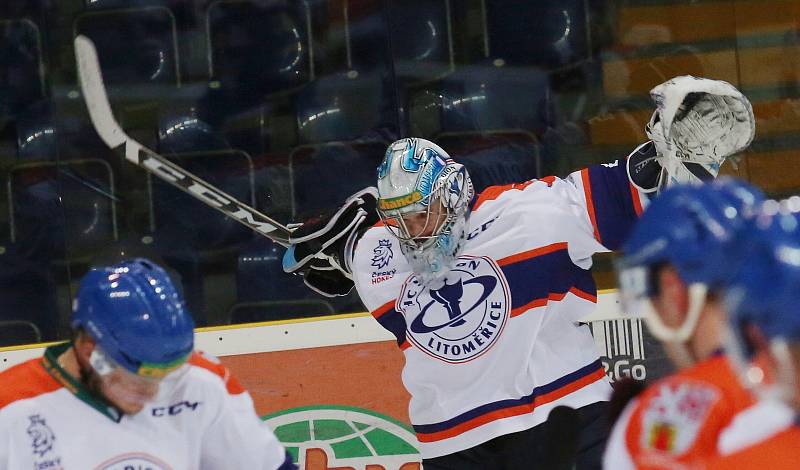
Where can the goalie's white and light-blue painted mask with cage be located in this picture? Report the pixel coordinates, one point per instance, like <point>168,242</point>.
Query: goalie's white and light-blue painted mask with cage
<point>424,198</point>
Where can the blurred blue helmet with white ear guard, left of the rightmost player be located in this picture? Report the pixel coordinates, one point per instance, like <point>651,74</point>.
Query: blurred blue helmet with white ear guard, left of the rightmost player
<point>690,228</point>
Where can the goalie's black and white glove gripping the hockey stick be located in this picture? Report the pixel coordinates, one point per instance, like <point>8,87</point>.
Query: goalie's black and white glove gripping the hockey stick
<point>321,248</point>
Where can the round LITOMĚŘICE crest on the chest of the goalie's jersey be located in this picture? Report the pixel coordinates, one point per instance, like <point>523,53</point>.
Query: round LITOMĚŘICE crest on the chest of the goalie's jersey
<point>462,318</point>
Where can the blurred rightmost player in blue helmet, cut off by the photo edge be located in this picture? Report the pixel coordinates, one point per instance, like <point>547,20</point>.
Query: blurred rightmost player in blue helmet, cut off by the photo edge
<point>763,336</point>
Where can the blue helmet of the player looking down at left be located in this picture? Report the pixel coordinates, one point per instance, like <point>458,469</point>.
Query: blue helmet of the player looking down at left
<point>136,316</point>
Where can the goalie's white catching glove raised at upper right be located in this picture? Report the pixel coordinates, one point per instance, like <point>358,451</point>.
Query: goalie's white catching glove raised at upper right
<point>697,124</point>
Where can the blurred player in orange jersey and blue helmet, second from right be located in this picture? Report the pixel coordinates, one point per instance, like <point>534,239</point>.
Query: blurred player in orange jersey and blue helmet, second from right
<point>672,270</point>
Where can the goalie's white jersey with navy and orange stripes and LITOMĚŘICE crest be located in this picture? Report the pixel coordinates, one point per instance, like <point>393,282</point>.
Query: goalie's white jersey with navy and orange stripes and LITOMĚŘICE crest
<point>498,346</point>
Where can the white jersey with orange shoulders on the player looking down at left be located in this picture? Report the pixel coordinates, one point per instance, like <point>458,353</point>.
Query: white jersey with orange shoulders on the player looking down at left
<point>201,419</point>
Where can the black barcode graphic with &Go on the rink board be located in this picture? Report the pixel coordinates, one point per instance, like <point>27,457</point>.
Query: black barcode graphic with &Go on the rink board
<point>621,345</point>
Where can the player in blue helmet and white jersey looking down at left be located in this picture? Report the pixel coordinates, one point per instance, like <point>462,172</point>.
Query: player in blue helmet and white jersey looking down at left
<point>128,391</point>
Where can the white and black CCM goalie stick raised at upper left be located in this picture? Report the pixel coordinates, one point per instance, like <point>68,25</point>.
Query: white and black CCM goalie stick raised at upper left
<point>114,136</point>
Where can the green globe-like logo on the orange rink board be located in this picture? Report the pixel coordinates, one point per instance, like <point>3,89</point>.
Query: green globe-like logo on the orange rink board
<point>326,437</point>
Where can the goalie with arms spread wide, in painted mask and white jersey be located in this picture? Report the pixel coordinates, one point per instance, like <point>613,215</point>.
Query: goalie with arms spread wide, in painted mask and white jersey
<point>483,292</point>
